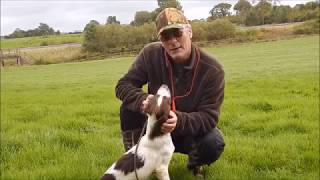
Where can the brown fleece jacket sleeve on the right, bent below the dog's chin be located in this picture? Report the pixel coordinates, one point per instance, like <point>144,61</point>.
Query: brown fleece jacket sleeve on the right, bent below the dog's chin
<point>206,117</point>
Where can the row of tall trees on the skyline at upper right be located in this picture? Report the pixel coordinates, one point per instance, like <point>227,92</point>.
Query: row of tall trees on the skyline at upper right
<point>265,12</point>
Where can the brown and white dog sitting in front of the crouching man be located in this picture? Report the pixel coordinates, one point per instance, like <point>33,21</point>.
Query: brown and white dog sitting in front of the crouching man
<point>155,149</point>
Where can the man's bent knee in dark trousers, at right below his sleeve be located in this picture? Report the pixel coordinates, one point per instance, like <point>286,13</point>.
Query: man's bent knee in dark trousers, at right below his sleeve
<point>211,147</point>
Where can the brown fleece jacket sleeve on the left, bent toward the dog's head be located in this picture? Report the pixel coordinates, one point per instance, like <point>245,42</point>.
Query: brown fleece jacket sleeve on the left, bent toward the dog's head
<point>129,87</point>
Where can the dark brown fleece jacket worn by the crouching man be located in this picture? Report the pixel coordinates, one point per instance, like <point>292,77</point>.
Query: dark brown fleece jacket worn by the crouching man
<point>197,113</point>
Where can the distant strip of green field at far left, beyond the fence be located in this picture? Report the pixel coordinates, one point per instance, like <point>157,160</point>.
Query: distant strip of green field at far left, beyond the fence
<point>41,40</point>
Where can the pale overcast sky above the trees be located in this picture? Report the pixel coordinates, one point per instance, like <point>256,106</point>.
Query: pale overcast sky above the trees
<point>73,15</point>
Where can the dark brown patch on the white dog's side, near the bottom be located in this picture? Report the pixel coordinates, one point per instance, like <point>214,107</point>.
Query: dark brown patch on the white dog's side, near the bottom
<point>126,163</point>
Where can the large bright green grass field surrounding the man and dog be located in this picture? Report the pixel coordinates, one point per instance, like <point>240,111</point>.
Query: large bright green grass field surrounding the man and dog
<point>61,121</point>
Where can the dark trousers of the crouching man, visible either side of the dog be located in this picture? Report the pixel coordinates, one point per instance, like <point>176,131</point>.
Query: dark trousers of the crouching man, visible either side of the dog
<point>200,150</point>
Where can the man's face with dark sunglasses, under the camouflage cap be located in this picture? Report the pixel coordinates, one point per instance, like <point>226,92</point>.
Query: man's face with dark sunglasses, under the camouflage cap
<point>177,43</point>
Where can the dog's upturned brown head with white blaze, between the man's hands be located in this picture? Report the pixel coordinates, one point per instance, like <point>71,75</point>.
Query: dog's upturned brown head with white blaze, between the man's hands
<point>160,104</point>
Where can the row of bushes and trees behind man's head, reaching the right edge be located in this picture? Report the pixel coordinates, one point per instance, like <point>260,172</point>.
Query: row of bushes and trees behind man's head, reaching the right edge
<point>114,37</point>
